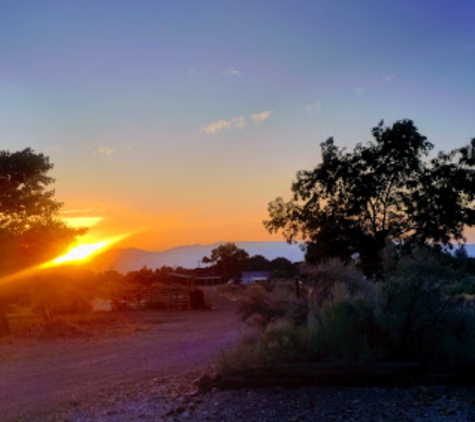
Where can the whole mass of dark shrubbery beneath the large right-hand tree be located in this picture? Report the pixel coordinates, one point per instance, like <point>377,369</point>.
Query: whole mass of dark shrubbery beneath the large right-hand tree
<point>419,312</point>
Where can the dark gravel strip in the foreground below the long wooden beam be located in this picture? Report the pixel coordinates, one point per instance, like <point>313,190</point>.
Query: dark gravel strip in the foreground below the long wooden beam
<point>172,399</point>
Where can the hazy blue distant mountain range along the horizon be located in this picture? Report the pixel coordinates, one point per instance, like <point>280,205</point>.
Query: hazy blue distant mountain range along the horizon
<point>125,260</point>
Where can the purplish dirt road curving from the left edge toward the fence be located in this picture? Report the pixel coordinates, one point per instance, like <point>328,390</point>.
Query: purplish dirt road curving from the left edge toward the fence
<point>35,376</point>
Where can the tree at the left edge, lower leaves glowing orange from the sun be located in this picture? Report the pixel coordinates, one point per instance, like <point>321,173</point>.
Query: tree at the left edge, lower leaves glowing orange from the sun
<point>30,232</point>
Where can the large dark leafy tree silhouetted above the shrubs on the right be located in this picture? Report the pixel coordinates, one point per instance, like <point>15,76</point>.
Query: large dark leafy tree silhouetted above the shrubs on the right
<point>386,190</point>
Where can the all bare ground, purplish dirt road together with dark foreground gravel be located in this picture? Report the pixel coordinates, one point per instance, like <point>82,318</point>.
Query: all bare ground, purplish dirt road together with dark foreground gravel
<point>110,381</point>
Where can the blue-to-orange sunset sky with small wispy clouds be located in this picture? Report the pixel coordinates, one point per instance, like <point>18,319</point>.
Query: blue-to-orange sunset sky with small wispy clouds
<point>179,121</point>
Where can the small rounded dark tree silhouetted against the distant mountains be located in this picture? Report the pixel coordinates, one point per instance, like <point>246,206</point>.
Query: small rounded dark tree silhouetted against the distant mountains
<point>228,260</point>
